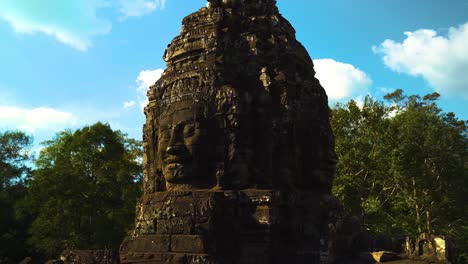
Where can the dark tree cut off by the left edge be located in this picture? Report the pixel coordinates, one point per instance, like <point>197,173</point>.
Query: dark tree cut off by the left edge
<point>14,172</point>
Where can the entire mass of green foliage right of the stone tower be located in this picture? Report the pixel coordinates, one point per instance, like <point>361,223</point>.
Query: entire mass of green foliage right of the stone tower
<point>403,166</point>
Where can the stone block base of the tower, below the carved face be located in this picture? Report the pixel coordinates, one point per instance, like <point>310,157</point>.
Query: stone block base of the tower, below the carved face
<point>205,226</point>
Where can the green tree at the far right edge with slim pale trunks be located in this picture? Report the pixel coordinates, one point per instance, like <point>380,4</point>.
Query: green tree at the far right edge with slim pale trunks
<point>431,163</point>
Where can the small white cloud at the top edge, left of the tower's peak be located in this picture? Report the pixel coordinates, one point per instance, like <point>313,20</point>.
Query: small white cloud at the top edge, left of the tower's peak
<point>136,8</point>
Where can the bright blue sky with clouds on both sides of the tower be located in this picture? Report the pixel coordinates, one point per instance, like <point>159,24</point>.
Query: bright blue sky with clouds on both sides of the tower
<point>66,64</point>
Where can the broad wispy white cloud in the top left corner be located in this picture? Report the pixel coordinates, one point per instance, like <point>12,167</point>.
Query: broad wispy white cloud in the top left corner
<point>72,22</point>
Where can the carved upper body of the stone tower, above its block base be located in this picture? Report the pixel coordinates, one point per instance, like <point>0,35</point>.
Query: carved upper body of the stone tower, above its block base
<point>238,106</point>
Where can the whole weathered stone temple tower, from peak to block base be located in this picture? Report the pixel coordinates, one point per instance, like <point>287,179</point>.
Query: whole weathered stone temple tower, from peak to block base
<point>238,151</point>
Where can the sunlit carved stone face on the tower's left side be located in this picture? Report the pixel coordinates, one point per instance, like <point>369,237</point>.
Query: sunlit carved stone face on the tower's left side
<point>184,149</point>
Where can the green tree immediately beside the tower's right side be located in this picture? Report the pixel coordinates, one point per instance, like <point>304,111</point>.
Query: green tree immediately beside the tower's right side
<point>364,146</point>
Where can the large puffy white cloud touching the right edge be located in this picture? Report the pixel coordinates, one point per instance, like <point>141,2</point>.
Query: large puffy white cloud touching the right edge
<point>441,60</point>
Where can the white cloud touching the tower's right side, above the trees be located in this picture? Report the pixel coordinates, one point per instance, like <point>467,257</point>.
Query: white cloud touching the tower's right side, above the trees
<point>341,80</point>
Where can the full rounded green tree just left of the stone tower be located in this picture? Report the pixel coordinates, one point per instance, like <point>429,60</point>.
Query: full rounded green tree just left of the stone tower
<point>84,190</point>
